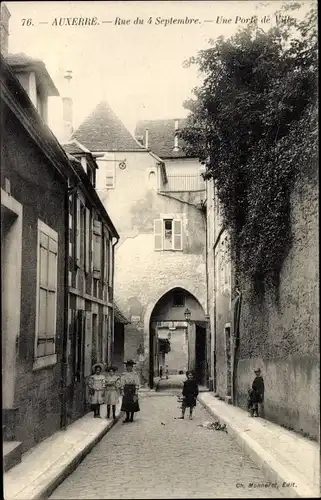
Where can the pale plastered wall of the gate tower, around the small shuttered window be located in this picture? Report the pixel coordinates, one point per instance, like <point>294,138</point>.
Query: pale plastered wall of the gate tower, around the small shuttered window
<point>144,275</point>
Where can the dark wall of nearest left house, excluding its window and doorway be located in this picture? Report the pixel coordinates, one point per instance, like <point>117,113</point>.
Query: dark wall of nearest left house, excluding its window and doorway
<point>40,191</point>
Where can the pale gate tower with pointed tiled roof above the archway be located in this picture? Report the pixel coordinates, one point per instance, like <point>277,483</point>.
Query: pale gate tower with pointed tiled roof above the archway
<point>158,213</point>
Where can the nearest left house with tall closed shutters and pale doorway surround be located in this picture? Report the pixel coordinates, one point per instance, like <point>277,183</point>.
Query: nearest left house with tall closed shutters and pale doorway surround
<point>34,183</point>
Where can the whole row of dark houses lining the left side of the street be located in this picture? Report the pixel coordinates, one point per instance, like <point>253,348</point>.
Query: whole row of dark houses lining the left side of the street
<point>55,236</point>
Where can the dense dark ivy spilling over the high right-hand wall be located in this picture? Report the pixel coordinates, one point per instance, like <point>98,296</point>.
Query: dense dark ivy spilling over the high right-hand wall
<point>254,124</point>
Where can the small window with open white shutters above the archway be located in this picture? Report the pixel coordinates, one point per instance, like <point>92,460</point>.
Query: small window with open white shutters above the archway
<point>168,234</point>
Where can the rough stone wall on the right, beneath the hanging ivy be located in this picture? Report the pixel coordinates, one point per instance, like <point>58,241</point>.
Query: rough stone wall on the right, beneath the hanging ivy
<point>283,338</point>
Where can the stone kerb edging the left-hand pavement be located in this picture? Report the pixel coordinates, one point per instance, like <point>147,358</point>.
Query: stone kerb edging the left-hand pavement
<point>45,491</point>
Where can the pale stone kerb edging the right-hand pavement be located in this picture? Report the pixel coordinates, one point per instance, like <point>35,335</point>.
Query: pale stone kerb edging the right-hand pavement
<point>274,471</point>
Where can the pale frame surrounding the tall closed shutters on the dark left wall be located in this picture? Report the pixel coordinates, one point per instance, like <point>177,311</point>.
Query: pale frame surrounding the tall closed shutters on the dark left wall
<point>47,359</point>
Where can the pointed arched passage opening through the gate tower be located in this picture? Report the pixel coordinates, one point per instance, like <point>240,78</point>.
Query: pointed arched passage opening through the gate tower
<point>174,341</point>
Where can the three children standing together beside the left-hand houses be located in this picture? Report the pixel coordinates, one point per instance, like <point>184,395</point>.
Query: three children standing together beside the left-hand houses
<point>106,389</point>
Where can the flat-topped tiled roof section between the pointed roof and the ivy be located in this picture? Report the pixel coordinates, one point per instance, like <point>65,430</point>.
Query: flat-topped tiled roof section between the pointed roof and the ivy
<point>161,135</point>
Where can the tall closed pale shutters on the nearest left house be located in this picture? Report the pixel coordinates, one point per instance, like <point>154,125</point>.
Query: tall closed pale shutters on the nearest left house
<point>46,291</point>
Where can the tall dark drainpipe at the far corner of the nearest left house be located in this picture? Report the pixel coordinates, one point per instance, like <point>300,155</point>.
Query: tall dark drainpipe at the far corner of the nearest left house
<point>64,360</point>
